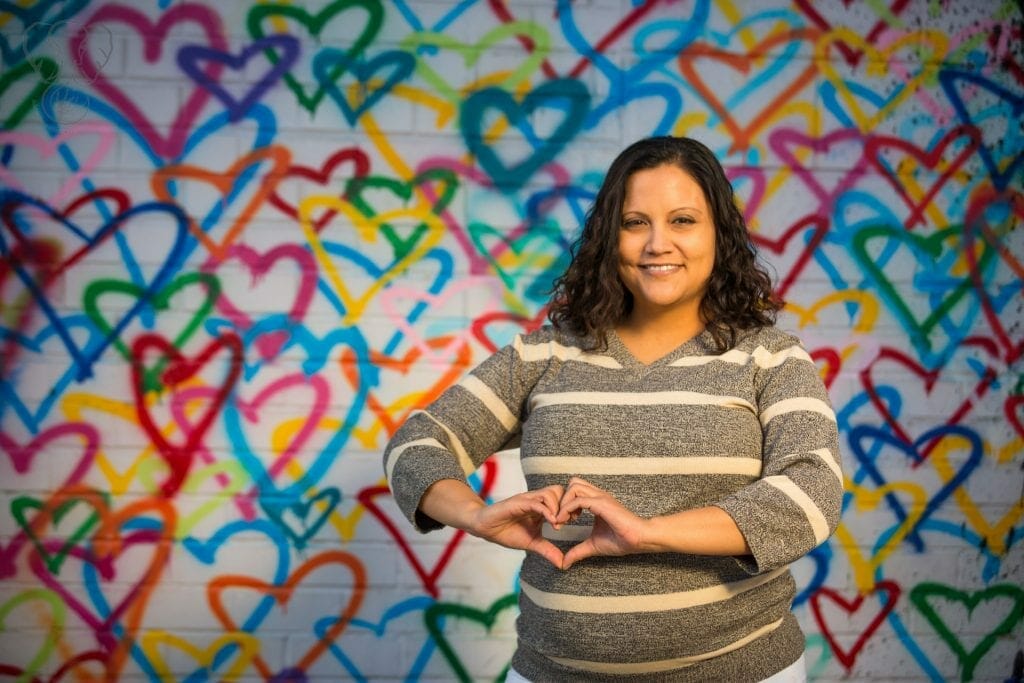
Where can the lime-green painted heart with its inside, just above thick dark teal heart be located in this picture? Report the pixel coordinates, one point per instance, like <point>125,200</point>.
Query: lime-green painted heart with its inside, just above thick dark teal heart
<point>426,46</point>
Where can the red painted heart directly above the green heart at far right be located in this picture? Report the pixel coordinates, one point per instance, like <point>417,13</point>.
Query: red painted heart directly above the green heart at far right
<point>962,142</point>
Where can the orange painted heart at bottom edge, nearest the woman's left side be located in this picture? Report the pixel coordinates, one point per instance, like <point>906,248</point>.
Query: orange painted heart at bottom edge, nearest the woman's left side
<point>349,608</point>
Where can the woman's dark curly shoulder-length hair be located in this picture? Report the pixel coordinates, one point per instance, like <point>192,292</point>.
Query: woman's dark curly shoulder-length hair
<point>589,298</point>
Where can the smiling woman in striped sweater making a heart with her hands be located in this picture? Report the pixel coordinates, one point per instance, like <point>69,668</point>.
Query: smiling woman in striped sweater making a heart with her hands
<point>679,450</point>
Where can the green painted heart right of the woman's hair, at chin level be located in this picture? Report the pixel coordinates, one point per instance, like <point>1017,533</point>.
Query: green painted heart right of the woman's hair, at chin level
<point>931,246</point>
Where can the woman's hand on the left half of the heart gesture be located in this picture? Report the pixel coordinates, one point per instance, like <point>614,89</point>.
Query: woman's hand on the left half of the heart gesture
<point>519,522</point>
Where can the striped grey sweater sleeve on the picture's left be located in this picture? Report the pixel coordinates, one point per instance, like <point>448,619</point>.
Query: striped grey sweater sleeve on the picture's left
<point>453,437</point>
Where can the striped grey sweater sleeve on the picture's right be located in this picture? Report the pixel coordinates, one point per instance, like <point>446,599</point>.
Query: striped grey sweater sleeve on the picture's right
<point>796,504</point>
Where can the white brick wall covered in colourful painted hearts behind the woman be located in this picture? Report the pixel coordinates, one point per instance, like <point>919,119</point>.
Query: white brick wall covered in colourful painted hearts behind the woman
<point>241,241</point>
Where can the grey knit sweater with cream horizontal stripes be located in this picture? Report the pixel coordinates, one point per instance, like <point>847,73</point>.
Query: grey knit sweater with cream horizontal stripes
<point>751,432</point>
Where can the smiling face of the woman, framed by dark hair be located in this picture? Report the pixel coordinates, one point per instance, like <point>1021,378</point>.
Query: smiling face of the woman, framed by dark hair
<point>666,243</point>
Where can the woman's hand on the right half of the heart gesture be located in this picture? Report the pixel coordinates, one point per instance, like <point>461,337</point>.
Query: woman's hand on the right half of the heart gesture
<point>617,531</point>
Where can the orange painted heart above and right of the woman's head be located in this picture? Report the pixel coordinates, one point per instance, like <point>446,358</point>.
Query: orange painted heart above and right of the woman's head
<point>767,78</point>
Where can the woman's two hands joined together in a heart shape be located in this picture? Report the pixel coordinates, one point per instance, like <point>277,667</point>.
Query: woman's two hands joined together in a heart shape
<point>519,523</point>
